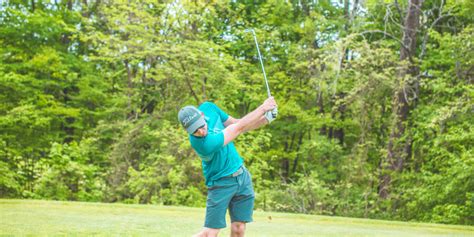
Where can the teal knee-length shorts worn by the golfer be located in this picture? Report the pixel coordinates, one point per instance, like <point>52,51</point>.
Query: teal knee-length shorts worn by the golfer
<point>233,193</point>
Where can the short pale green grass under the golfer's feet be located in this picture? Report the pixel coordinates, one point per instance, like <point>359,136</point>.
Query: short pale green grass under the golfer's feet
<point>47,218</point>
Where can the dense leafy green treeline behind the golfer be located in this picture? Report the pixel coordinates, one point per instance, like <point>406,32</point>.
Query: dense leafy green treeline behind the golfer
<point>375,100</point>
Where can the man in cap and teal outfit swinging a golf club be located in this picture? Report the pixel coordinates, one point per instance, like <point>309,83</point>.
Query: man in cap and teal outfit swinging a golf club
<point>211,132</point>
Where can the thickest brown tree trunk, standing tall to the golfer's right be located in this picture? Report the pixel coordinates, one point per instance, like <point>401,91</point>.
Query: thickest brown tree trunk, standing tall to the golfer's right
<point>398,147</point>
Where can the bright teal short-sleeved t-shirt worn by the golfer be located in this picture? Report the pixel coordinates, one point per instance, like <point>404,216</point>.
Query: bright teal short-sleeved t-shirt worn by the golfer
<point>217,160</point>
